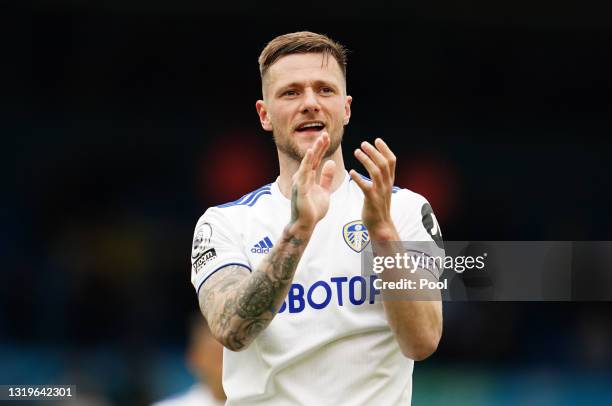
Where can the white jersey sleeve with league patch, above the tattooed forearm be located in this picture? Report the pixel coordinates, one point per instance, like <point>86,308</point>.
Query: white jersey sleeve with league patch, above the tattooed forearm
<point>215,246</point>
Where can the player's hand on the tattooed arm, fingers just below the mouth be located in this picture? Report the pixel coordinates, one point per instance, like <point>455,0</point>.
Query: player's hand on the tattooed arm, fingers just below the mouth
<point>309,198</point>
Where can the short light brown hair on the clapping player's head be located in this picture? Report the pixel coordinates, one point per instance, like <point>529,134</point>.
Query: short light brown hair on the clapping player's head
<point>301,42</point>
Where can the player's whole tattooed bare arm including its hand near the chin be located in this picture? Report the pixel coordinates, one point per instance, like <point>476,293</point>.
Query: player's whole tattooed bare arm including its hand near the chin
<point>239,305</point>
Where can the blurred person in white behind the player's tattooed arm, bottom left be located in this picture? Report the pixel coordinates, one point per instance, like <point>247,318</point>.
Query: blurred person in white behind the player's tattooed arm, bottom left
<point>204,359</point>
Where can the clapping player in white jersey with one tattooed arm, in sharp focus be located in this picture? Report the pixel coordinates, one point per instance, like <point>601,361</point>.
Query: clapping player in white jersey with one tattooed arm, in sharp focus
<point>278,271</point>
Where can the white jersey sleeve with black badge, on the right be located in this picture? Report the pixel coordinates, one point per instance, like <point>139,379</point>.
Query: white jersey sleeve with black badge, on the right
<point>418,228</point>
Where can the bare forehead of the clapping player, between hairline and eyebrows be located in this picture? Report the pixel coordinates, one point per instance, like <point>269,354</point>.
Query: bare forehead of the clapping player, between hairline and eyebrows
<point>304,68</point>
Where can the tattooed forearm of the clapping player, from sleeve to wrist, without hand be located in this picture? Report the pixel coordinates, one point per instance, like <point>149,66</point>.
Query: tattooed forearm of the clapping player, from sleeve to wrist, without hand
<point>238,306</point>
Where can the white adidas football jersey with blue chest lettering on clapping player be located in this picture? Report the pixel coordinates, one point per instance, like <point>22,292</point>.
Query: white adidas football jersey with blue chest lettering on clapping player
<point>330,343</point>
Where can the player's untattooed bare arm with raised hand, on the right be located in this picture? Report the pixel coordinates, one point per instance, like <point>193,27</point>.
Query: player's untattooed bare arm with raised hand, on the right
<point>416,324</point>
